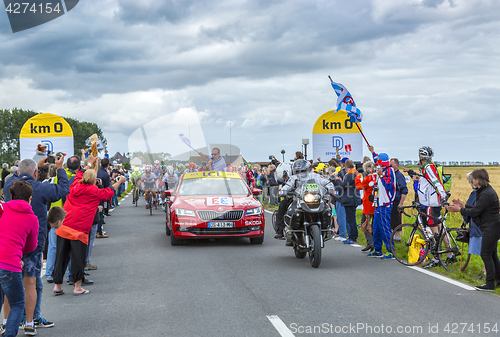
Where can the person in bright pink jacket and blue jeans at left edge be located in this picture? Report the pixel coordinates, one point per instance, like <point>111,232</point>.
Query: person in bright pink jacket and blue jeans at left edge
<point>18,236</point>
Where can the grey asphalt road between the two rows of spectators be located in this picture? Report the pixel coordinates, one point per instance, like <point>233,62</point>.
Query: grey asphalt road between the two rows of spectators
<point>146,287</point>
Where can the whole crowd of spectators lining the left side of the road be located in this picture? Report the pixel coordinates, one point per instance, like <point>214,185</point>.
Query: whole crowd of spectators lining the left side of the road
<point>38,196</point>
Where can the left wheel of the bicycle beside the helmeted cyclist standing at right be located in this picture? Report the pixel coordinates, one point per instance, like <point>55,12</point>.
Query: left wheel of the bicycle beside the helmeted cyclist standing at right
<point>403,250</point>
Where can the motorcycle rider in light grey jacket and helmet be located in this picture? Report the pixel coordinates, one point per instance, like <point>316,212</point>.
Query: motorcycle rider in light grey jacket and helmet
<point>301,171</point>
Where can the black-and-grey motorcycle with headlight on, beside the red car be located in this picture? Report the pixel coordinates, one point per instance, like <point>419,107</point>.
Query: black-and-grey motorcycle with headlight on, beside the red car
<point>308,222</point>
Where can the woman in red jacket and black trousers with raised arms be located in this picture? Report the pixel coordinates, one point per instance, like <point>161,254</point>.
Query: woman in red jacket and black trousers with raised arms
<point>73,235</point>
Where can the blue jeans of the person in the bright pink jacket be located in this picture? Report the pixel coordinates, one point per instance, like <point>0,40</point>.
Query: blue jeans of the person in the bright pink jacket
<point>11,284</point>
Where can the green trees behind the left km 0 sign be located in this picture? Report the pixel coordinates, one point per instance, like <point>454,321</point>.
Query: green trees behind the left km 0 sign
<point>12,121</point>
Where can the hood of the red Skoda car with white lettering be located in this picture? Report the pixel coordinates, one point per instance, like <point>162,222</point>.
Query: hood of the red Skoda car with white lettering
<point>217,203</point>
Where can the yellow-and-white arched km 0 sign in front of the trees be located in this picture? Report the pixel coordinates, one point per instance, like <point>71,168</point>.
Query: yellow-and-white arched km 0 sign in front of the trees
<point>46,128</point>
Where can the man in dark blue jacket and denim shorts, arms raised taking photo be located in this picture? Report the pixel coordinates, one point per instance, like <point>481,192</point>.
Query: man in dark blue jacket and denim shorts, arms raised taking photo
<point>43,194</point>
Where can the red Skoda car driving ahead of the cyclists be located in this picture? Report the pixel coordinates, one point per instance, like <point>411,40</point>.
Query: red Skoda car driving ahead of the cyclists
<point>214,205</point>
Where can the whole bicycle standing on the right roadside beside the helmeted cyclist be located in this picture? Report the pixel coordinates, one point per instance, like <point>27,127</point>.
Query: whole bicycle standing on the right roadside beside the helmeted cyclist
<point>417,241</point>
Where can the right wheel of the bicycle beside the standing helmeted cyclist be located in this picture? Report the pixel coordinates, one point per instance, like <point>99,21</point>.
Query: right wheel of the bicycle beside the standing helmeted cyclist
<point>460,251</point>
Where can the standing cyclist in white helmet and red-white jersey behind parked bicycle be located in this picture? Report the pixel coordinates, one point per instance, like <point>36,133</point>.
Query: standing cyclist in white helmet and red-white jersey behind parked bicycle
<point>431,194</point>
